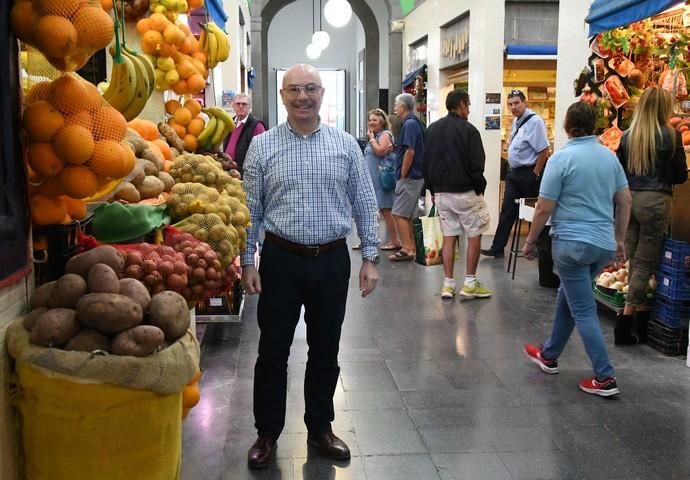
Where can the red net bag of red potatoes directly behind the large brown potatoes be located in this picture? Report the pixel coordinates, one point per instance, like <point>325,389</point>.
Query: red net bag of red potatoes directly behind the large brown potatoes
<point>158,267</point>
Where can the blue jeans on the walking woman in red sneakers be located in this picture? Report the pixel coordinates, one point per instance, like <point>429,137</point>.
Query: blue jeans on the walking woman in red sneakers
<point>577,264</point>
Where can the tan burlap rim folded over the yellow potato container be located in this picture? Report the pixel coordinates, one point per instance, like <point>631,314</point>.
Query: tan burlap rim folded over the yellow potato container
<point>164,372</point>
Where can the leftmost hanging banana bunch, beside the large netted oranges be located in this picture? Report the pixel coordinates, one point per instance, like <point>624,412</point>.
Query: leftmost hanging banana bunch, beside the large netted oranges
<point>131,82</point>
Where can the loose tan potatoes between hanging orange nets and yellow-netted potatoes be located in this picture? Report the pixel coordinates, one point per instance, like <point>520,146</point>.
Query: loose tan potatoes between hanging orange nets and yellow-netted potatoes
<point>147,180</point>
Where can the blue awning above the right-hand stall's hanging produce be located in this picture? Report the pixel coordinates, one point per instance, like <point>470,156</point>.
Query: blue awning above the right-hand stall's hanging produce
<point>606,15</point>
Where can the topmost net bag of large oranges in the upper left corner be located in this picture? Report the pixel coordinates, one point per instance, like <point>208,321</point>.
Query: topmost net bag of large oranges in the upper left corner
<point>67,32</point>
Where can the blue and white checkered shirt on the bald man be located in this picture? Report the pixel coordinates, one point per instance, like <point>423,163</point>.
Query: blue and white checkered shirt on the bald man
<point>307,188</point>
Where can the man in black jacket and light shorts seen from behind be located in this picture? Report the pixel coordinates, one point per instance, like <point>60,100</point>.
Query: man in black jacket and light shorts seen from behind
<point>454,172</point>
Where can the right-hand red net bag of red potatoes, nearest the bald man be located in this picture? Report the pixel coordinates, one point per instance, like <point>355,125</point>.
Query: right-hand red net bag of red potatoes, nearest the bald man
<point>203,264</point>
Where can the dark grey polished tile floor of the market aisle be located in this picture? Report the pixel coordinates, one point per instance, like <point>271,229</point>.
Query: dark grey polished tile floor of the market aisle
<point>434,389</point>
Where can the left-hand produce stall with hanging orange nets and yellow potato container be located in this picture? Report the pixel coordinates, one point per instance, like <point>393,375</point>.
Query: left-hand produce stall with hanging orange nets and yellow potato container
<point>136,220</point>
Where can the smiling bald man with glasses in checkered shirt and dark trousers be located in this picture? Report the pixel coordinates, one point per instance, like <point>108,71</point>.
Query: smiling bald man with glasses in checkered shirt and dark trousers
<point>305,181</point>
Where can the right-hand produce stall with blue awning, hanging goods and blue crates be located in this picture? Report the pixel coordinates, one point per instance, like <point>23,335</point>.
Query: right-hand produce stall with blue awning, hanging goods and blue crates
<point>635,45</point>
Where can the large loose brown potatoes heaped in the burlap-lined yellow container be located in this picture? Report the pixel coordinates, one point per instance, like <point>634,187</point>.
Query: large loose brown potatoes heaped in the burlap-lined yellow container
<point>91,309</point>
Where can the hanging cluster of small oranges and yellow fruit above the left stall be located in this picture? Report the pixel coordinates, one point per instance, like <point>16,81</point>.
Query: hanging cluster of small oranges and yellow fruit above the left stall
<point>180,61</point>
